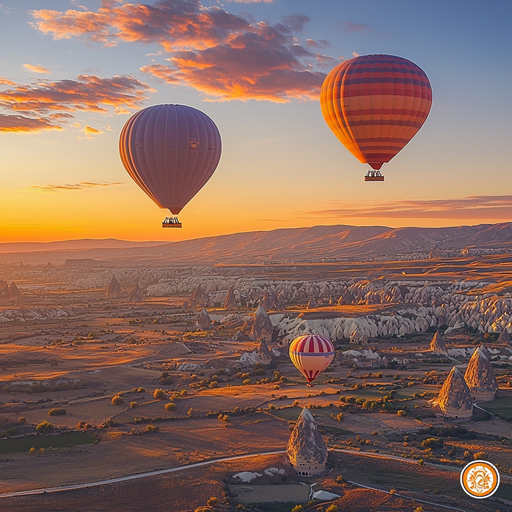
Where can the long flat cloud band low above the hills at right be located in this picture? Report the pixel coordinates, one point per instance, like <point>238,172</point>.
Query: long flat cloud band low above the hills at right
<point>473,207</point>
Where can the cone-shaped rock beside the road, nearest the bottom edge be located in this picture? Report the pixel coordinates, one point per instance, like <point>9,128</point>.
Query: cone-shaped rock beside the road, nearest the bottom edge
<point>306,448</point>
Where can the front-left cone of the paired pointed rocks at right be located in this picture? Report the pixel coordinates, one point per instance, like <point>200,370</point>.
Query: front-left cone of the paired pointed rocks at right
<point>454,398</point>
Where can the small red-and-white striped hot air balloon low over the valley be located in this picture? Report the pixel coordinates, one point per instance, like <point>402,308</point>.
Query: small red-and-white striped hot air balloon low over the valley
<point>311,355</point>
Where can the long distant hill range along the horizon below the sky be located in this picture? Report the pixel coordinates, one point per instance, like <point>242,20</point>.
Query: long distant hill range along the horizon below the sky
<point>281,245</point>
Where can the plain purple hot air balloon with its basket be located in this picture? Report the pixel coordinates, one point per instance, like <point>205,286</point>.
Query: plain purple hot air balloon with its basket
<point>170,151</point>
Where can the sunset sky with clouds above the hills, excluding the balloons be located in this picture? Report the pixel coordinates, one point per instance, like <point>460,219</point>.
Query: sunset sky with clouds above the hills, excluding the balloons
<point>72,72</point>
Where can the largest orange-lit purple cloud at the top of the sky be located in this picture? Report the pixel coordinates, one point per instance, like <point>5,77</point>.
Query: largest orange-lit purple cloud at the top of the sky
<point>223,55</point>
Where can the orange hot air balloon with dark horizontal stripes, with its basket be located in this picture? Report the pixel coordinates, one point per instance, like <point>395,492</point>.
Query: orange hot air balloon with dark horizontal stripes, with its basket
<point>375,104</point>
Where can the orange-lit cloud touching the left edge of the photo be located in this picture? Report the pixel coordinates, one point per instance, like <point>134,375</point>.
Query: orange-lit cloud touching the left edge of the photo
<point>50,104</point>
